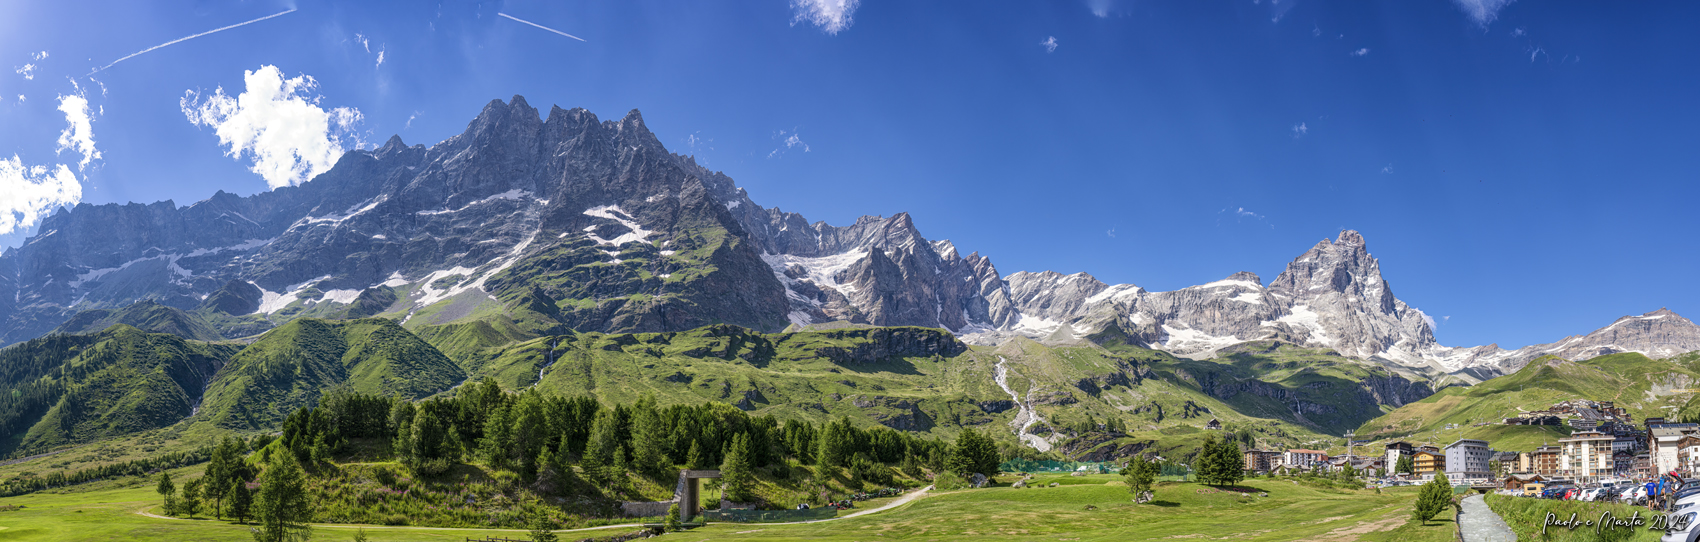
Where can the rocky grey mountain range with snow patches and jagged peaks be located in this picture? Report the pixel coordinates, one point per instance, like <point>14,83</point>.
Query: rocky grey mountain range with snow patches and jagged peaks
<point>545,225</point>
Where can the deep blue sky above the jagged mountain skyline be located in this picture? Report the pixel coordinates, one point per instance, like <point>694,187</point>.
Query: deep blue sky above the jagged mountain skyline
<point>1524,171</point>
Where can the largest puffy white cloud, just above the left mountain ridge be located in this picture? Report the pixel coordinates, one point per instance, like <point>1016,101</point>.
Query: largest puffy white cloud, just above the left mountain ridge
<point>280,123</point>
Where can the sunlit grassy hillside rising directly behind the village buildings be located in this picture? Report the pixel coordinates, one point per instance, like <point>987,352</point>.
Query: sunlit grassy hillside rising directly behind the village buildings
<point>1640,385</point>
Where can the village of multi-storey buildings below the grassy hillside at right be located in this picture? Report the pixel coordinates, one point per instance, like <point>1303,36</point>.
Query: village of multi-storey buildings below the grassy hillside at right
<point>1606,448</point>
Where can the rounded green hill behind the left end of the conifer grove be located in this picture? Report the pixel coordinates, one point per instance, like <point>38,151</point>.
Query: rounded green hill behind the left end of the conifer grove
<point>292,366</point>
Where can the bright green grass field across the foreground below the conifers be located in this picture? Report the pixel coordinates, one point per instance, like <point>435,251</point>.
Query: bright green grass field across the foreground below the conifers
<point>1080,509</point>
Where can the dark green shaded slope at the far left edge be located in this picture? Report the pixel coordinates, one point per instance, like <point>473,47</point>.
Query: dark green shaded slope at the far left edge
<point>99,387</point>
